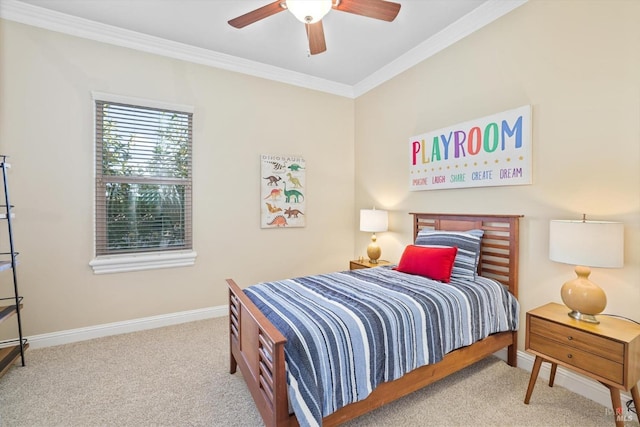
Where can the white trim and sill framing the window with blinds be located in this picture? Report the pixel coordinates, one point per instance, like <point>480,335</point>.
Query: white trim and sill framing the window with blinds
<point>140,261</point>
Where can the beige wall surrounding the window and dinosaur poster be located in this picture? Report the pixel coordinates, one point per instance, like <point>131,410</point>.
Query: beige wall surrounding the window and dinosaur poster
<point>46,119</point>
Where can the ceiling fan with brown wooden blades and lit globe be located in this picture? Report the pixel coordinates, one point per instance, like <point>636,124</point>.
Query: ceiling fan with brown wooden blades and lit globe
<point>311,12</point>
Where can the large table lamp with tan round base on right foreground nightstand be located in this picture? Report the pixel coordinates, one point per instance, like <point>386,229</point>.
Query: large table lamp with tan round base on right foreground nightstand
<point>586,244</point>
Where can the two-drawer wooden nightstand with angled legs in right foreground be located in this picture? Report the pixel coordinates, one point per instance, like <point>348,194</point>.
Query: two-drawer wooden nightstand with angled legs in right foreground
<point>608,352</point>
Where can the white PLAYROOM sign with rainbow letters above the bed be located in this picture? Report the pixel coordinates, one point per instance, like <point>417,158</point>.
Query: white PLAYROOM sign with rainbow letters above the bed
<point>490,151</point>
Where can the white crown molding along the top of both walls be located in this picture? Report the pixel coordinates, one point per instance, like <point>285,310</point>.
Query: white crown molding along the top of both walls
<point>24,13</point>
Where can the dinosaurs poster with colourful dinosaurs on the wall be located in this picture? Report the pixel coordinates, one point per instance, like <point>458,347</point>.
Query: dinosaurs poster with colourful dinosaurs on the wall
<point>282,191</point>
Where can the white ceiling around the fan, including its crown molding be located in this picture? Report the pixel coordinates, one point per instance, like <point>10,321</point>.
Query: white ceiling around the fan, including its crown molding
<point>361,52</point>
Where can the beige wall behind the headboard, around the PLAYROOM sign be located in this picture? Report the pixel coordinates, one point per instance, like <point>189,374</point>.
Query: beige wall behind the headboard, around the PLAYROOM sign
<point>577,63</point>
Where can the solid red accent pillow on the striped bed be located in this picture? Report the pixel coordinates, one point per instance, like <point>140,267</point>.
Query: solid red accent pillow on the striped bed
<point>434,263</point>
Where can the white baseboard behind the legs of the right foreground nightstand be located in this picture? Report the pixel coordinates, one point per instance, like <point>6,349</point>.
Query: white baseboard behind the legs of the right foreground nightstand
<point>570,380</point>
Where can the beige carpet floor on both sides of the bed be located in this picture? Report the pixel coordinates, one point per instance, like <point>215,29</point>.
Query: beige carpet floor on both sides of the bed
<point>178,376</point>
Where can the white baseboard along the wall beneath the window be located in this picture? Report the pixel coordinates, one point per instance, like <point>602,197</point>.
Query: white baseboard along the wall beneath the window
<point>134,325</point>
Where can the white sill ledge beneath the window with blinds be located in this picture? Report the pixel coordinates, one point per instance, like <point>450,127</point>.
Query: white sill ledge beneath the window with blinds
<point>143,261</point>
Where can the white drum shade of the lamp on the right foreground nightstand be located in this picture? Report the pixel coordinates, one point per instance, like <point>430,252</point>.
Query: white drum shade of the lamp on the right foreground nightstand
<point>587,243</point>
